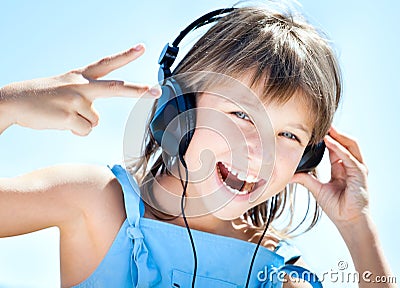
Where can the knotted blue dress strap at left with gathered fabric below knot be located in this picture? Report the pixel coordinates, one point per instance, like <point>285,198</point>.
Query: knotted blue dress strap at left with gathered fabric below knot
<point>143,268</point>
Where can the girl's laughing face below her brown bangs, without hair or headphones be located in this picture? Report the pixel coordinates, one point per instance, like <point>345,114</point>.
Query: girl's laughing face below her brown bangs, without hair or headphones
<point>244,151</point>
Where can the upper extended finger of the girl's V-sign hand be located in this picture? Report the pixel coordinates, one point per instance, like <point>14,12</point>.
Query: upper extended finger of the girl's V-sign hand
<point>110,63</point>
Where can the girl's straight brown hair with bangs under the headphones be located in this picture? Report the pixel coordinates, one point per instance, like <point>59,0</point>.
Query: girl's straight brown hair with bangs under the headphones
<point>284,54</point>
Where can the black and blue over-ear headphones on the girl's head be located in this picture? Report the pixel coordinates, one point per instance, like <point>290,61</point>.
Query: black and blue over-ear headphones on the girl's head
<point>174,133</point>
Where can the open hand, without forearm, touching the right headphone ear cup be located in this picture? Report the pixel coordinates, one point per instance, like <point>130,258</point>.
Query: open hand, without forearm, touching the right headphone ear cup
<point>344,198</point>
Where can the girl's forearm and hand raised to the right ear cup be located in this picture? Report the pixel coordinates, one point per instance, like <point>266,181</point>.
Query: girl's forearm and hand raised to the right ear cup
<point>345,200</point>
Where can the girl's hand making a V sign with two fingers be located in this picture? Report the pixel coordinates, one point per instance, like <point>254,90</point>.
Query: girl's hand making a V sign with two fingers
<point>65,102</point>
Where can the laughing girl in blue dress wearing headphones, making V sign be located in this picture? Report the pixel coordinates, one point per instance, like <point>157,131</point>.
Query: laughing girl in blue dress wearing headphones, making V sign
<point>261,88</point>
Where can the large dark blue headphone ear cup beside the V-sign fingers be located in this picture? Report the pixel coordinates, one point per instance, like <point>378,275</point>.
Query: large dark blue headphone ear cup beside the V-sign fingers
<point>171,129</point>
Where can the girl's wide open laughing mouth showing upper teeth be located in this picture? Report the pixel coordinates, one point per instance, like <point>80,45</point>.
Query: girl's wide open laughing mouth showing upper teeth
<point>236,182</point>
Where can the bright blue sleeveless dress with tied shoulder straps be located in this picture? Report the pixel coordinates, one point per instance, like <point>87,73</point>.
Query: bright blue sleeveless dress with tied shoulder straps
<point>151,253</point>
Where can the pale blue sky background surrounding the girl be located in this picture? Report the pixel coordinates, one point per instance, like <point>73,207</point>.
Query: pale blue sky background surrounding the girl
<point>44,38</point>
